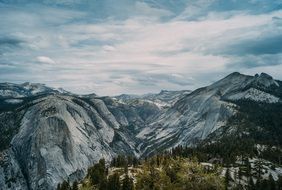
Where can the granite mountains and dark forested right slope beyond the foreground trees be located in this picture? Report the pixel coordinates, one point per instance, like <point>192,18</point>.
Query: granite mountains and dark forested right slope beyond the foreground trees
<point>51,135</point>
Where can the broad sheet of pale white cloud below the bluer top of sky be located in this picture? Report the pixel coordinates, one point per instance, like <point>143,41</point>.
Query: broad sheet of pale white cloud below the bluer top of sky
<point>139,54</point>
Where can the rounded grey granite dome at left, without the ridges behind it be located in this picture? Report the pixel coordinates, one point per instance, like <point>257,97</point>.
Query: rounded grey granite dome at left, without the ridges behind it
<point>58,138</point>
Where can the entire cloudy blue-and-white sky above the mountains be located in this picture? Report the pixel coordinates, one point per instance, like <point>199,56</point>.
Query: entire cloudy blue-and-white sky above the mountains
<point>110,47</point>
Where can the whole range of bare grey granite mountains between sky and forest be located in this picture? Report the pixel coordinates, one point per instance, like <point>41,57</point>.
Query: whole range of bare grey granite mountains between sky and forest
<point>52,135</point>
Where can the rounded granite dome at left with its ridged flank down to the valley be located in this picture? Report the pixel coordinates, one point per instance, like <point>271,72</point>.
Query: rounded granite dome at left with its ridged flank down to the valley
<point>59,137</point>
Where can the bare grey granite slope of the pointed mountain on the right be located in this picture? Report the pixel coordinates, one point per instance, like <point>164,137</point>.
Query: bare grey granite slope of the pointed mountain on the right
<point>198,114</point>
